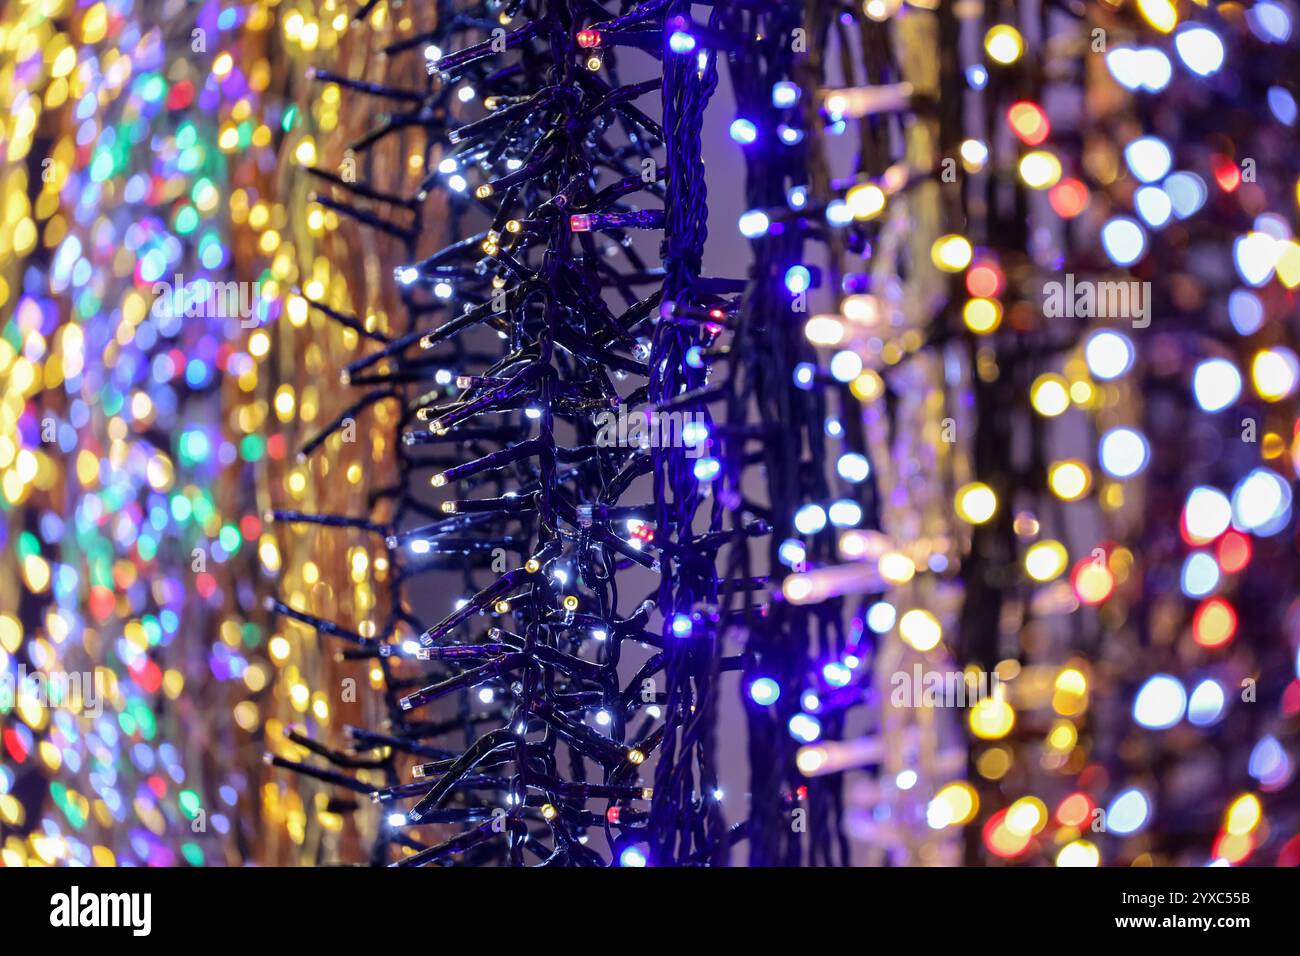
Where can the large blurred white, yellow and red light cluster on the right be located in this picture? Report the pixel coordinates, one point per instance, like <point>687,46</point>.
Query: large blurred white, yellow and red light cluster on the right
<point>1134,526</point>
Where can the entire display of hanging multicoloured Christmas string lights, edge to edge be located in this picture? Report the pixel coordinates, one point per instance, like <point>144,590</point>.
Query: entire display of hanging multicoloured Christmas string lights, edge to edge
<point>649,434</point>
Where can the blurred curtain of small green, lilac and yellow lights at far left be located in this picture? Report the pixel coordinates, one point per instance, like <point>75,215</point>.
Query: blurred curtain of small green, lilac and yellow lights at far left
<point>120,613</point>
